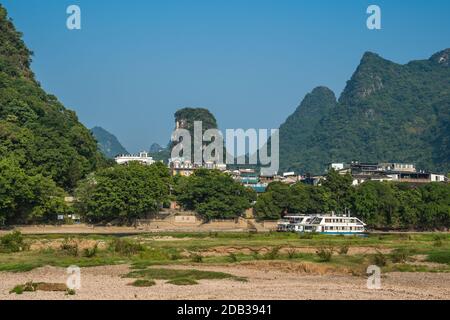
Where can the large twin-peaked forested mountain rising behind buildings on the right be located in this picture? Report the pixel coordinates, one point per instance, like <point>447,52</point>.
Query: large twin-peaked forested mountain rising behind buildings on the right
<point>387,112</point>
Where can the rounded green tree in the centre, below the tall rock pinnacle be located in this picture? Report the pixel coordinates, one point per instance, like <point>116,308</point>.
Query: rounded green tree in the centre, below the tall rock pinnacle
<point>214,195</point>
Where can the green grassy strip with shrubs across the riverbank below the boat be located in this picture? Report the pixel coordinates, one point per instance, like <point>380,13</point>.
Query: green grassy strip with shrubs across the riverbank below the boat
<point>145,250</point>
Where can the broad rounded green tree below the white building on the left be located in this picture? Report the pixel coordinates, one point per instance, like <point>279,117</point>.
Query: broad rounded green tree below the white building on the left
<point>125,192</point>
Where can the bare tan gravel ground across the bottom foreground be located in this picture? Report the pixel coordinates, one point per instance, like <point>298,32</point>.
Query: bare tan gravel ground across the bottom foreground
<point>106,283</point>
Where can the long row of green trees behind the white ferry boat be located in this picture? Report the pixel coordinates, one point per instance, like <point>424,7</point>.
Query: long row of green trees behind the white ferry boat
<point>379,204</point>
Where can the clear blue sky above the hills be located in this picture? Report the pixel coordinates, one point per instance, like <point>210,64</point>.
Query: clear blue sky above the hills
<point>136,62</point>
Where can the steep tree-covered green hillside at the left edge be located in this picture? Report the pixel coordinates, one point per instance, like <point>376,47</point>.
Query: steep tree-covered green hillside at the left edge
<point>36,132</point>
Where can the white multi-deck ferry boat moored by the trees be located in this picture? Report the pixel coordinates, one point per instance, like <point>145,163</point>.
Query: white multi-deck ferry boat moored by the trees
<point>324,224</point>
